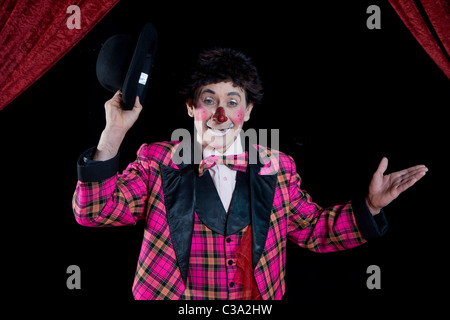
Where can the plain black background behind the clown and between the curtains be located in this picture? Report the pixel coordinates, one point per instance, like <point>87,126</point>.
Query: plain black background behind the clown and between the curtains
<point>342,96</point>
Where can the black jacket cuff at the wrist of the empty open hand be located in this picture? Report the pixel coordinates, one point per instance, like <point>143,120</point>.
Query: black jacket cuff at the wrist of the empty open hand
<point>371,227</point>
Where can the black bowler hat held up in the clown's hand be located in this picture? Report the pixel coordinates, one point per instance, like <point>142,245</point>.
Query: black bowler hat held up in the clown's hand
<point>125,63</point>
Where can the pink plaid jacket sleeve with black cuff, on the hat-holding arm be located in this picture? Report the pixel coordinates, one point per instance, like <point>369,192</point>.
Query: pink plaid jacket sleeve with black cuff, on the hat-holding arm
<point>103,197</point>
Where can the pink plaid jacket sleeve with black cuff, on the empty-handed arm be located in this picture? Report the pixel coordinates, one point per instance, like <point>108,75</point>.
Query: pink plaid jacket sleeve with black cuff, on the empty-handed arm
<point>330,229</point>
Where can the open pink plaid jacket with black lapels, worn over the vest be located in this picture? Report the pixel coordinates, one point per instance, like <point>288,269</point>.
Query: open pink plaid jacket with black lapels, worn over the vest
<point>154,188</point>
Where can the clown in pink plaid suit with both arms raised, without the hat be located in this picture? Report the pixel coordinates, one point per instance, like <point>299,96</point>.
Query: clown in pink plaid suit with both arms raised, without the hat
<point>217,230</point>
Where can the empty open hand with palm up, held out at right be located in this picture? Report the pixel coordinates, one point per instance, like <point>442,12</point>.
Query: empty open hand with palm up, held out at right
<point>385,188</point>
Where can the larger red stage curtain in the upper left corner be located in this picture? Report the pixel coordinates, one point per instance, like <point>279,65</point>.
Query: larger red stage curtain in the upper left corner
<point>34,35</point>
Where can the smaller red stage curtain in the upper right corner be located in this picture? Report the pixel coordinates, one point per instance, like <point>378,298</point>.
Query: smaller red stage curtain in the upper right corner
<point>429,22</point>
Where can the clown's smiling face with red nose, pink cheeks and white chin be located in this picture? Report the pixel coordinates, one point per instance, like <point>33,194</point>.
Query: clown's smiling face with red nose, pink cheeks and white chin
<point>219,112</point>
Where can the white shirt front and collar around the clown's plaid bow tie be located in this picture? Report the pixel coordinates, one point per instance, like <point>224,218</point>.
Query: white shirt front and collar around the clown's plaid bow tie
<point>223,177</point>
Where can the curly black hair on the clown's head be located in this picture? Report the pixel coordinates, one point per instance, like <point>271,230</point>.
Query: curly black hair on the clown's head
<point>224,65</point>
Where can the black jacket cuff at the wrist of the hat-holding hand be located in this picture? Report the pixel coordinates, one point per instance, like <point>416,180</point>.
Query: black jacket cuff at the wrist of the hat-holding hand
<point>95,171</point>
